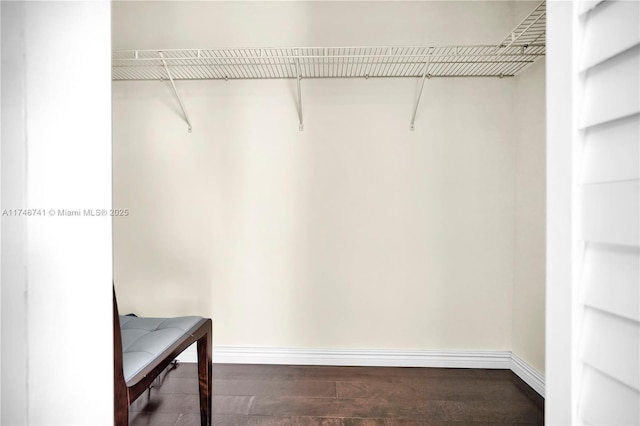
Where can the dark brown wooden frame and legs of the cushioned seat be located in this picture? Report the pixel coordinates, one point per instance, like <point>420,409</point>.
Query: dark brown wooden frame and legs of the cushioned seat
<point>126,393</point>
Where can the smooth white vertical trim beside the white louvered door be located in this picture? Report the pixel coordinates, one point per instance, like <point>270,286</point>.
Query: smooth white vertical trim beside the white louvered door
<point>562,215</point>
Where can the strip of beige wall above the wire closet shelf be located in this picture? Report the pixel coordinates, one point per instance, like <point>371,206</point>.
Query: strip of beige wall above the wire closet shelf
<point>211,24</point>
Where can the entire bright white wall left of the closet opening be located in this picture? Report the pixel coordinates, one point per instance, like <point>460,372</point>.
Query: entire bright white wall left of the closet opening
<point>57,343</point>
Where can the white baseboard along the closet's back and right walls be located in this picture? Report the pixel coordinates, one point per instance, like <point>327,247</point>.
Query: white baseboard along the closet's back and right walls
<point>375,358</point>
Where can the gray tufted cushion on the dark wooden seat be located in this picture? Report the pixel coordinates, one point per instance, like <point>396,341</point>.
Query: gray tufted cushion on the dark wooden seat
<point>143,339</point>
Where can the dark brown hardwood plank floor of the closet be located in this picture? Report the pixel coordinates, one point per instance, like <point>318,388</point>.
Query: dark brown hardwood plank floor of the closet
<point>341,396</point>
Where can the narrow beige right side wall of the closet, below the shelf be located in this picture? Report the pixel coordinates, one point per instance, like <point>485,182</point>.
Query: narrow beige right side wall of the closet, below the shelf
<point>529,284</point>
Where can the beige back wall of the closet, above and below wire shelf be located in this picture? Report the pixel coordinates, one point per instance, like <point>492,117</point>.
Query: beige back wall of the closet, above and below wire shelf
<point>356,232</point>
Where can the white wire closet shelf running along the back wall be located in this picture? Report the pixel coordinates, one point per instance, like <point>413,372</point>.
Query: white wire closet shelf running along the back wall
<point>523,46</point>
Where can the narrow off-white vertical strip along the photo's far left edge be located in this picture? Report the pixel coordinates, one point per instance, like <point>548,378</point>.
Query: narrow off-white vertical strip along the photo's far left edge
<point>13,154</point>
